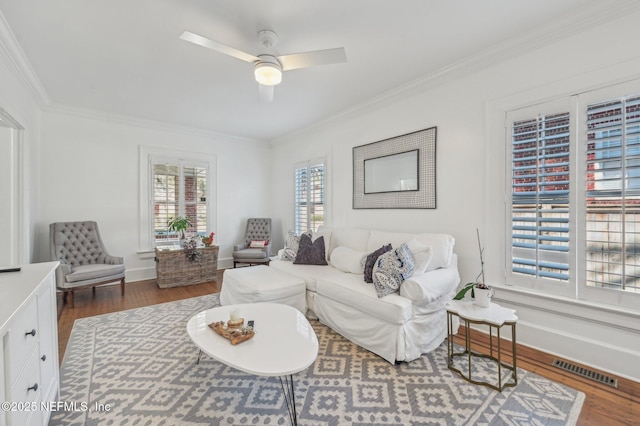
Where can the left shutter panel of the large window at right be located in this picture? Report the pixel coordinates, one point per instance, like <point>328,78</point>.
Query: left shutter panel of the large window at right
<point>540,165</point>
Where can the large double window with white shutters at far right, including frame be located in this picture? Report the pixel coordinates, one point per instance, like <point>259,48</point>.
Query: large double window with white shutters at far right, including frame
<point>574,199</point>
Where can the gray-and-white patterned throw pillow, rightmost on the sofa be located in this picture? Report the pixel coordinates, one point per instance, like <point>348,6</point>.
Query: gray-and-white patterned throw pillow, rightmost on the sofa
<point>391,269</point>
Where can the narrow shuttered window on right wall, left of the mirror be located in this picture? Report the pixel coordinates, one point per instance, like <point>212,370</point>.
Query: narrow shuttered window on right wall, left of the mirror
<point>309,196</point>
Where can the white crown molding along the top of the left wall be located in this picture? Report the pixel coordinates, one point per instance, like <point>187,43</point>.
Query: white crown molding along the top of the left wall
<point>15,59</point>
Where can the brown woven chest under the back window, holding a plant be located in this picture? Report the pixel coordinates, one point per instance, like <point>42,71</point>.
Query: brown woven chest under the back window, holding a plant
<point>173,269</point>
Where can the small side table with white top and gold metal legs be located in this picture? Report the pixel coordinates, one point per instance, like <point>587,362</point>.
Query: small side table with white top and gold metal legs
<point>494,316</point>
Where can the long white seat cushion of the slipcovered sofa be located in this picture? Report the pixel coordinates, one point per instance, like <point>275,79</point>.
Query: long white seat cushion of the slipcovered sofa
<point>351,290</point>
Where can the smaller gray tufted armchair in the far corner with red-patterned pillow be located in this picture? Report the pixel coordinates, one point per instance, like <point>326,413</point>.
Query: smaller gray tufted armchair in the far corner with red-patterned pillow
<point>256,247</point>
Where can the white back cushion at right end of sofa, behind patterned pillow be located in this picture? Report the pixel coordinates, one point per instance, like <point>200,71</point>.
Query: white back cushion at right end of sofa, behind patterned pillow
<point>441,244</point>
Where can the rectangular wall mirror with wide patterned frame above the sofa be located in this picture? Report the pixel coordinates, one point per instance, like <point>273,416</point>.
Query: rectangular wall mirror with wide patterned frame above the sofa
<point>396,173</point>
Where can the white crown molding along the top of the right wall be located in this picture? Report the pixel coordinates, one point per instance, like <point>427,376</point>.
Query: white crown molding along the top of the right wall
<point>580,21</point>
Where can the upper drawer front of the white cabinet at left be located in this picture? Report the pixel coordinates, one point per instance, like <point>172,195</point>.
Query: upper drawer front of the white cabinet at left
<point>20,344</point>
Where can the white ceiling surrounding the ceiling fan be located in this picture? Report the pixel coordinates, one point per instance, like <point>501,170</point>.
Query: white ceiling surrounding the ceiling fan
<point>124,57</point>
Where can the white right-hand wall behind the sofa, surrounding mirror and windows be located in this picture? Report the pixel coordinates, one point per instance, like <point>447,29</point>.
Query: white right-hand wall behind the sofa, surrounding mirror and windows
<point>469,113</point>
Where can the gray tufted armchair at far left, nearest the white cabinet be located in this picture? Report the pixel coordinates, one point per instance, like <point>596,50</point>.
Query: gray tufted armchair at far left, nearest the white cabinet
<point>84,262</point>
